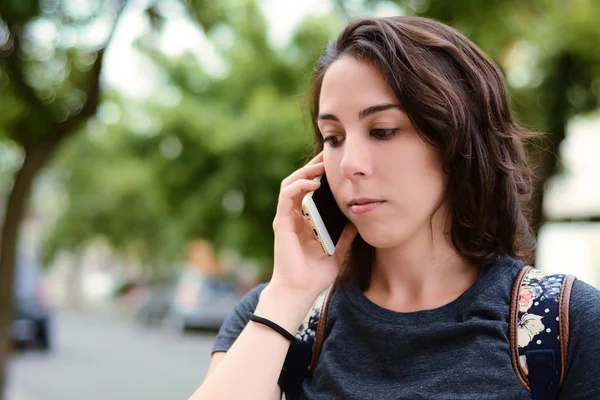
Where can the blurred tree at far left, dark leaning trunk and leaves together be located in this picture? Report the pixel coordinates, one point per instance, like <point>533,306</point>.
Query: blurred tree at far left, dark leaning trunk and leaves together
<point>49,88</point>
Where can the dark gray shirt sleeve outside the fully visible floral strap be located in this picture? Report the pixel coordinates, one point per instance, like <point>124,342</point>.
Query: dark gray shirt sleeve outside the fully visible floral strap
<point>583,361</point>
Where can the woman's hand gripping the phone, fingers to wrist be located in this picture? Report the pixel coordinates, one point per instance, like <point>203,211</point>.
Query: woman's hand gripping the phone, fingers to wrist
<point>301,268</point>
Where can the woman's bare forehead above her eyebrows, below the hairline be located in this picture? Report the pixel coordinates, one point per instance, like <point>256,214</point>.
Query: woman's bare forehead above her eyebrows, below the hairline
<point>351,84</point>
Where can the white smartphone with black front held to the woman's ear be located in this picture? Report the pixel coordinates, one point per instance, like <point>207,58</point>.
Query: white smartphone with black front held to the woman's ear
<point>324,215</point>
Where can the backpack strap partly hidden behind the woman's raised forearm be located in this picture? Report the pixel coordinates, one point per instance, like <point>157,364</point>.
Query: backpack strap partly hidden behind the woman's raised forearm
<point>303,354</point>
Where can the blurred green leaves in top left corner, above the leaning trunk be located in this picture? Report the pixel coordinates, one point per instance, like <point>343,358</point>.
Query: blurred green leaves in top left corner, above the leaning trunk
<point>44,76</point>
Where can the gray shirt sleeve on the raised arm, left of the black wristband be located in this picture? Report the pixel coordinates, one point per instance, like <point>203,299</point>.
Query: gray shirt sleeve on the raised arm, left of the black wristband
<point>237,320</point>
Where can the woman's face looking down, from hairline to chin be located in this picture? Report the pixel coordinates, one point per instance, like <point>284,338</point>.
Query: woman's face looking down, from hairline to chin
<point>384,177</point>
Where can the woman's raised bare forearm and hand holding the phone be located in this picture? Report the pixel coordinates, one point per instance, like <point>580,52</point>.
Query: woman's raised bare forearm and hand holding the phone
<point>301,271</point>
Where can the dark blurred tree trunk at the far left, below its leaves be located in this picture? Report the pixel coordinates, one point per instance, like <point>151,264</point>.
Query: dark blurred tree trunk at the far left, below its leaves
<point>35,158</point>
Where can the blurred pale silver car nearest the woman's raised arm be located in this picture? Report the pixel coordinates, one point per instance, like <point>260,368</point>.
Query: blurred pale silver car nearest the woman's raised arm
<point>201,301</point>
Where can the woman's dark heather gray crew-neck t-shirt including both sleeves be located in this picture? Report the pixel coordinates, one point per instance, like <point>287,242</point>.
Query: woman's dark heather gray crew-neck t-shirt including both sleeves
<point>457,351</point>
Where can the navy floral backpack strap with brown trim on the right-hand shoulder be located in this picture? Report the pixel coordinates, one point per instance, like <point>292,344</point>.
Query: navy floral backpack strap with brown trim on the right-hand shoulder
<point>539,330</point>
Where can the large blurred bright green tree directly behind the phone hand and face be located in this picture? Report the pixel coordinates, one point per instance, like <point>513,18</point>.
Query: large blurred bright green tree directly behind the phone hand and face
<point>212,164</point>
